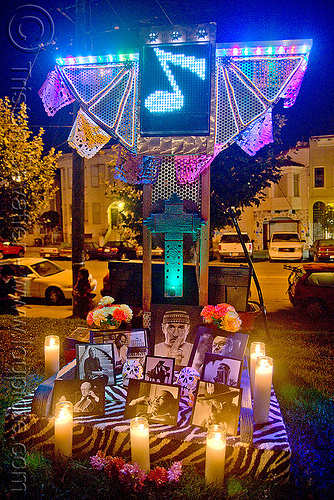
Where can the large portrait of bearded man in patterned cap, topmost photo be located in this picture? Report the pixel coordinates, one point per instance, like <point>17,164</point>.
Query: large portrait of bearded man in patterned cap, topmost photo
<point>173,331</point>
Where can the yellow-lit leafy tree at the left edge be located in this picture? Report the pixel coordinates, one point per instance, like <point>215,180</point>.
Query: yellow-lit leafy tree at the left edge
<point>26,173</point>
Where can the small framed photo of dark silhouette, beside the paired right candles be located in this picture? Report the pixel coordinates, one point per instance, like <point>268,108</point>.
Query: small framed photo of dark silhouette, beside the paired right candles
<point>222,370</point>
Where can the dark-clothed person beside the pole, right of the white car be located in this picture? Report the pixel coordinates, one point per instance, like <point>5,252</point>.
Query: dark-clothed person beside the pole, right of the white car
<point>83,294</point>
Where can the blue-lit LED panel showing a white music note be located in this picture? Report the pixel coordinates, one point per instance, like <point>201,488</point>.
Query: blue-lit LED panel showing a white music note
<point>175,90</point>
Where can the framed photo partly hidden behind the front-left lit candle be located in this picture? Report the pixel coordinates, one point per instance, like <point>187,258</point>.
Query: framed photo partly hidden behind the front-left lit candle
<point>87,397</point>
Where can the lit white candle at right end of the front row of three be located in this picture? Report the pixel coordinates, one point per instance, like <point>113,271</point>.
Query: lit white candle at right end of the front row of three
<point>215,455</point>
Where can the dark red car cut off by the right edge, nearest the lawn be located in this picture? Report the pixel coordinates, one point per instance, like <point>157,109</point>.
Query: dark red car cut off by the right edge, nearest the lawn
<point>311,288</point>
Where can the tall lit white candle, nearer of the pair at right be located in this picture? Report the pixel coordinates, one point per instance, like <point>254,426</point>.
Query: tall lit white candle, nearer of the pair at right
<point>262,388</point>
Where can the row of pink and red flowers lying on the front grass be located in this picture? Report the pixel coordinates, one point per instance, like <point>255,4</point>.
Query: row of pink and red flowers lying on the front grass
<point>131,475</point>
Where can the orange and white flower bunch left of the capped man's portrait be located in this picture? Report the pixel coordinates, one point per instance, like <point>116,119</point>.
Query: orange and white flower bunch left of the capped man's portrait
<point>107,313</point>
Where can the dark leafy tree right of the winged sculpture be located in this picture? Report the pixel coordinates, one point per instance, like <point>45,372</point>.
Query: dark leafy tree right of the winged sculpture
<point>239,180</point>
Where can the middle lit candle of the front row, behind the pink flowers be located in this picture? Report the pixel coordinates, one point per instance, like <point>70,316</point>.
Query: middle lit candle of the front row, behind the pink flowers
<point>140,449</point>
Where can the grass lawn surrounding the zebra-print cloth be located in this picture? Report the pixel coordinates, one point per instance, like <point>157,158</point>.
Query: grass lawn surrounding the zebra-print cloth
<point>303,381</point>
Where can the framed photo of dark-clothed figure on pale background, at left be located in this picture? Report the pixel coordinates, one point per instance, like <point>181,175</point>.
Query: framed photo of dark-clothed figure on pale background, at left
<point>96,362</point>
